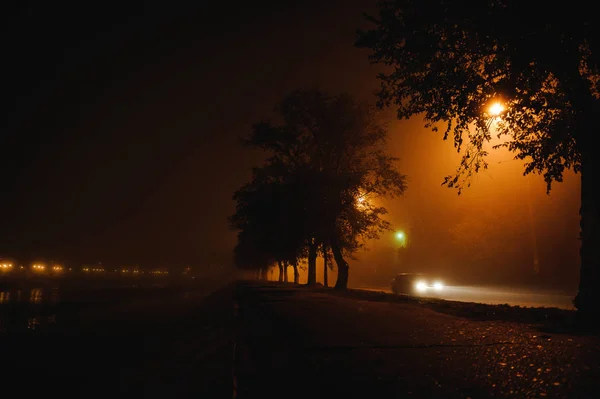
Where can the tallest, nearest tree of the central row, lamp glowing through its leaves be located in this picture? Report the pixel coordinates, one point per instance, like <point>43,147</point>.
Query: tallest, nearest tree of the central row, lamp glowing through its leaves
<point>327,152</point>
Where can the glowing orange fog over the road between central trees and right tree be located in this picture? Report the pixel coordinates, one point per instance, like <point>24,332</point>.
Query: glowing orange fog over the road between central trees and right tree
<point>504,230</point>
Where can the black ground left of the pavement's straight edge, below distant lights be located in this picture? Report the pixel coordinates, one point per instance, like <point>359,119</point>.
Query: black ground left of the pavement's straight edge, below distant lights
<point>148,342</point>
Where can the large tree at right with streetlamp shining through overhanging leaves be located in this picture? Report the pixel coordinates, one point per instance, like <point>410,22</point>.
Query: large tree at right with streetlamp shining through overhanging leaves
<point>449,60</point>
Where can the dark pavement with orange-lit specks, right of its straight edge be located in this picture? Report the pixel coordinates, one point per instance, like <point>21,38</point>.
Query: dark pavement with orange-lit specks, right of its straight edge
<point>292,342</point>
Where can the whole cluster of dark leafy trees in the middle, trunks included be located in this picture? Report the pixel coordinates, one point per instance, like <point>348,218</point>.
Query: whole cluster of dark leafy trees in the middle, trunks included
<point>315,194</point>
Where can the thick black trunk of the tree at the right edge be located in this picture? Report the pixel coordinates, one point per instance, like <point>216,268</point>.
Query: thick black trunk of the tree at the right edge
<point>587,300</point>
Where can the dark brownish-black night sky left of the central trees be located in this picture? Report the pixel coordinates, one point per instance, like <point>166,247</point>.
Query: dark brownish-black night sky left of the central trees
<point>121,139</point>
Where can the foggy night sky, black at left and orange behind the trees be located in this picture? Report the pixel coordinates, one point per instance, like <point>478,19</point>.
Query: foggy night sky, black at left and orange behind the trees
<point>121,144</point>
